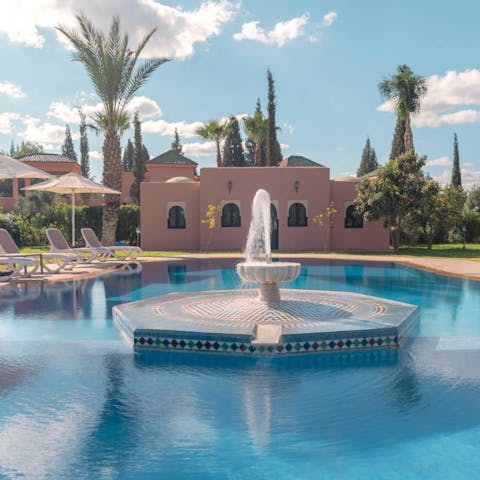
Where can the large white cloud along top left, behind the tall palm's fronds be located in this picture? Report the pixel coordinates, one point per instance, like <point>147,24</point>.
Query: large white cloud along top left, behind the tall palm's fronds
<point>178,29</point>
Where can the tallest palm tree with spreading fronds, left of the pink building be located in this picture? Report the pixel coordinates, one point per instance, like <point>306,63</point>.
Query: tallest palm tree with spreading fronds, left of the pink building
<point>111,66</point>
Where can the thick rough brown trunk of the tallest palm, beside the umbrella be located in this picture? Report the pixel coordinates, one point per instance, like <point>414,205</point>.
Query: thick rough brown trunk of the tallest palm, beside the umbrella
<point>112,177</point>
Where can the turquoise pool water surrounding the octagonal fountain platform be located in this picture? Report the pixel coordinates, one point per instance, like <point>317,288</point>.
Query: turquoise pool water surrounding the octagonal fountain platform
<point>76,403</point>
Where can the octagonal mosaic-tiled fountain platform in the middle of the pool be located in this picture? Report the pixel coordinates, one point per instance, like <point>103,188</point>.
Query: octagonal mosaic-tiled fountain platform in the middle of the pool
<point>235,322</point>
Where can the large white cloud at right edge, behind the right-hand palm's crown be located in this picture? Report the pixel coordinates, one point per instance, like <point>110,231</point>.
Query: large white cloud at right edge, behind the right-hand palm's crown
<point>446,99</point>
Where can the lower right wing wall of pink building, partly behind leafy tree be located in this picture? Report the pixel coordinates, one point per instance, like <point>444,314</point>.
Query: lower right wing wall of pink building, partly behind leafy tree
<point>373,236</point>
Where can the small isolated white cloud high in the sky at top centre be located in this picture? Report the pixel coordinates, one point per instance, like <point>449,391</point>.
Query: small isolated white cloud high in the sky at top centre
<point>281,33</point>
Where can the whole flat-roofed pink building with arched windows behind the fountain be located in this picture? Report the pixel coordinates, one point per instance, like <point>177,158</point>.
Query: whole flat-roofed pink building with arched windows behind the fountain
<point>172,209</point>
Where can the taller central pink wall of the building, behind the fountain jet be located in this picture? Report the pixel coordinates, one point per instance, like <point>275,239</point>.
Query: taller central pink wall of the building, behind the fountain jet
<point>279,182</point>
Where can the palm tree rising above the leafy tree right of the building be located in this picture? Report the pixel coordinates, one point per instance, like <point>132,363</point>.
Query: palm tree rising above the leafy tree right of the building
<point>405,89</point>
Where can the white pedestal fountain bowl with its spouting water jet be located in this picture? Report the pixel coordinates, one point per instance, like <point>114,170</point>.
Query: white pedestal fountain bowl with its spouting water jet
<point>258,267</point>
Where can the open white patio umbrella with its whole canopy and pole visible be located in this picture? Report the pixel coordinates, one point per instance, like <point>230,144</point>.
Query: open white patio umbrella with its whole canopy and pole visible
<point>72,183</point>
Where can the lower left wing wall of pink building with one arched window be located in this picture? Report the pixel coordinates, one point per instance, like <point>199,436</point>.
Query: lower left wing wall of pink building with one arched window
<point>155,198</point>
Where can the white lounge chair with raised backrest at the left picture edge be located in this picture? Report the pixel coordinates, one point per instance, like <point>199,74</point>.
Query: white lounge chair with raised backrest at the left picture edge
<point>51,262</point>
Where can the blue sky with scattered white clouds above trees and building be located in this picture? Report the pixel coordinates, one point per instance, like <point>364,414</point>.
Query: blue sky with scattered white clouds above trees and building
<point>326,57</point>
